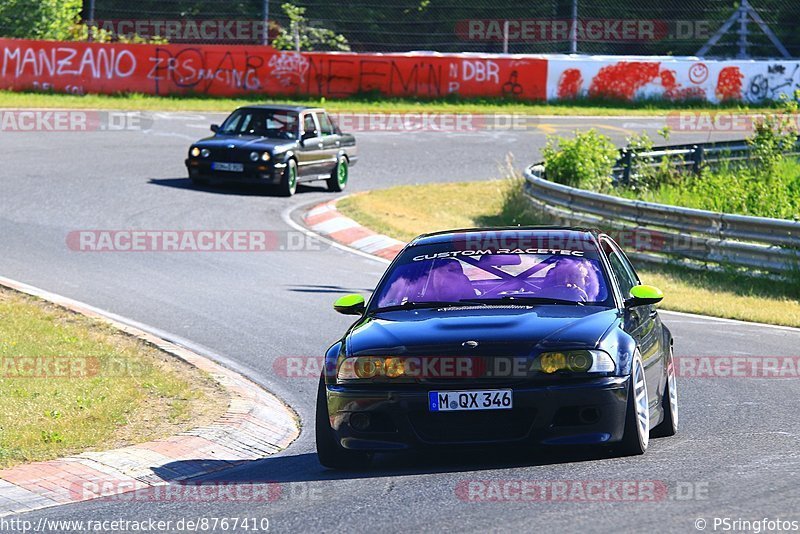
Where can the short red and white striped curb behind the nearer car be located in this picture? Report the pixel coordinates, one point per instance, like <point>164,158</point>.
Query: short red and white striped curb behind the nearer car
<point>324,219</point>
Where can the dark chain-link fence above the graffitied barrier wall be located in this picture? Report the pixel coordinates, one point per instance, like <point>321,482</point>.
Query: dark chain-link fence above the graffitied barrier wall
<point>760,28</point>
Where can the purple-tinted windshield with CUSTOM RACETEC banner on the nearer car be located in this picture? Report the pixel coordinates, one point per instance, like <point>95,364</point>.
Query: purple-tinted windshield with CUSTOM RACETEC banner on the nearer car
<point>450,274</point>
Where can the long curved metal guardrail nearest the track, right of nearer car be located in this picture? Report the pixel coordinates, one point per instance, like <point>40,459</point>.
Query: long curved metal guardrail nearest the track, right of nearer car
<point>664,234</point>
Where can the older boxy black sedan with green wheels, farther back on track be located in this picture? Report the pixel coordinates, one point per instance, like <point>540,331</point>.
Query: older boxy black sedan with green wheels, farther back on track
<point>278,145</point>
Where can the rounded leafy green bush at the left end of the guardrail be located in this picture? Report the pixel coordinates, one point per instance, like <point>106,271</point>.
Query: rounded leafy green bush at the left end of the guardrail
<point>584,161</point>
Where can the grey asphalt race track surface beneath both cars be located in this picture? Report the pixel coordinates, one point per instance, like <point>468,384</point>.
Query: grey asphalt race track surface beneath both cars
<point>736,454</point>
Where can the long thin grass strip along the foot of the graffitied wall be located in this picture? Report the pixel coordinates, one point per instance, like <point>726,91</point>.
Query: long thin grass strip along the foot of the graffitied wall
<point>135,101</point>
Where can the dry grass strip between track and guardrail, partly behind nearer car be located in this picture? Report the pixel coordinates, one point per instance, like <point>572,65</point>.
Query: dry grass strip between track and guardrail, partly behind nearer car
<point>406,211</point>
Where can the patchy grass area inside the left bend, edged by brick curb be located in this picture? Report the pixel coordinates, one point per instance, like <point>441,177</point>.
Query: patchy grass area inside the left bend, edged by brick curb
<point>70,384</point>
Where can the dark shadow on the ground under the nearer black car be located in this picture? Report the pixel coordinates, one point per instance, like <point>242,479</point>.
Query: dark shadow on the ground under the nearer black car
<point>306,468</point>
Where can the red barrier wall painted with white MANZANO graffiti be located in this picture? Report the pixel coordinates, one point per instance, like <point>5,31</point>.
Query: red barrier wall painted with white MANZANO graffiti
<point>235,70</point>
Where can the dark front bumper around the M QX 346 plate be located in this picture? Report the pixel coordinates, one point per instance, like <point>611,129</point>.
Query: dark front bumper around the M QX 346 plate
<point>591,412</point>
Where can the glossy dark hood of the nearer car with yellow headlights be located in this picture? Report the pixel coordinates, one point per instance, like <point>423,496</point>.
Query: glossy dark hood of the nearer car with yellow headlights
<point>507,330</point>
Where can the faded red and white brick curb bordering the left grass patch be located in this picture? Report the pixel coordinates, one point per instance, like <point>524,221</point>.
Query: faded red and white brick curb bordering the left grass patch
<point>256,424</point>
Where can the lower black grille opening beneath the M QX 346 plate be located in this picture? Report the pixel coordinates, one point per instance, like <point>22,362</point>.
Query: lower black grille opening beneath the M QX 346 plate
<point>477,426</point>
